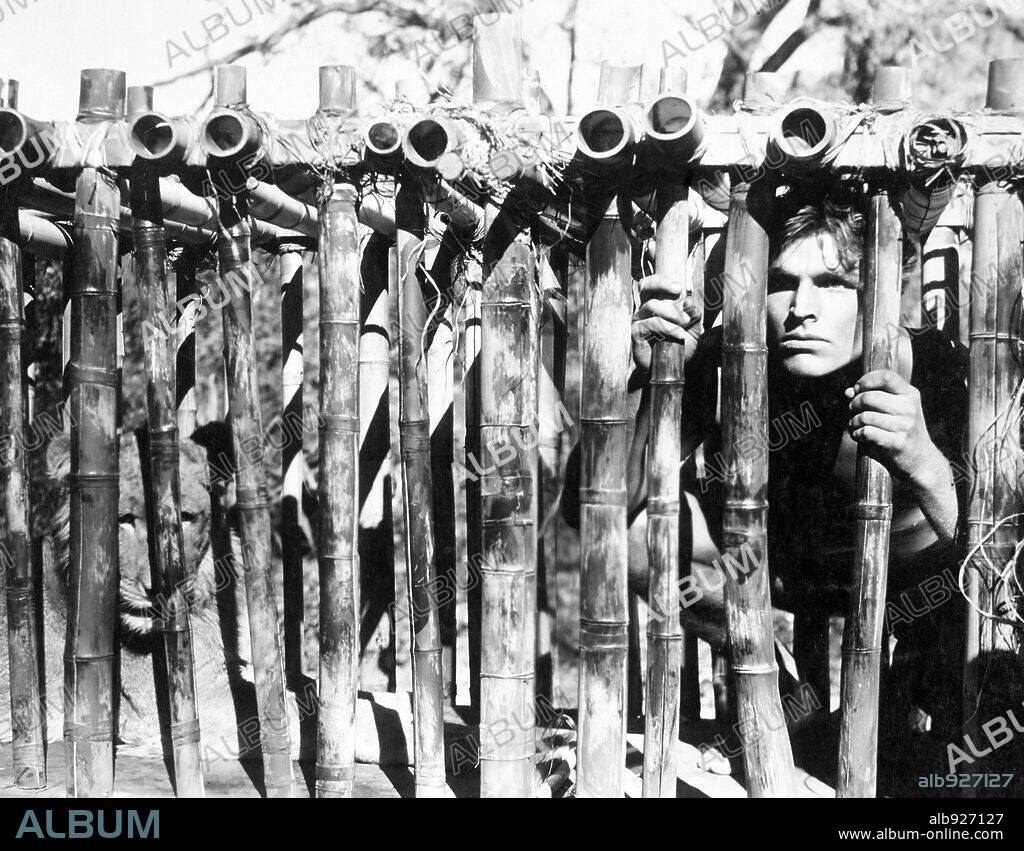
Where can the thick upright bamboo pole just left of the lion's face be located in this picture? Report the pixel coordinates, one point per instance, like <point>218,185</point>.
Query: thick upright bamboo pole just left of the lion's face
<point>90,652</point>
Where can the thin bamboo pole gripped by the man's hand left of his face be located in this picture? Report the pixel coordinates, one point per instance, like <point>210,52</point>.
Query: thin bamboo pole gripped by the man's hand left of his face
<point>664,454</point>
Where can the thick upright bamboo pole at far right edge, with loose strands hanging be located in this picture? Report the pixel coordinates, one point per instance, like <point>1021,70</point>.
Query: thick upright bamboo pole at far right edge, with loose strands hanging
<point>994,418</point>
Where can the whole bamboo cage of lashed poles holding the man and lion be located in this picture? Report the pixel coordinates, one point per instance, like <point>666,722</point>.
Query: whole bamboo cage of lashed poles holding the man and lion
<point>485,363</point>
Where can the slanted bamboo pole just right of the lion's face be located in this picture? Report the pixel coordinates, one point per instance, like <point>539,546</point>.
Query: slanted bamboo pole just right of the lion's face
<point>250,478</point>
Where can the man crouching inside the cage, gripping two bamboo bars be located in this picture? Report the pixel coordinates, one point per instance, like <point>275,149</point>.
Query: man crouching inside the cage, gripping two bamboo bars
<point>911,420</point>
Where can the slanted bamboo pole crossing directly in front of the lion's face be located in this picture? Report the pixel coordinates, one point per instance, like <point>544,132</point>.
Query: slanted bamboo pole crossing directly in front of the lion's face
<point>151,260</point>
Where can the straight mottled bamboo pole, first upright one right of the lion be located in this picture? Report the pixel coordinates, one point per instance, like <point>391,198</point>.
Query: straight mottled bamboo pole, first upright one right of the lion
<point>338,551</point>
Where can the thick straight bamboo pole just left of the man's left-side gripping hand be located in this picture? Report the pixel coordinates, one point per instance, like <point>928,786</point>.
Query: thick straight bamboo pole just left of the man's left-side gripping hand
<point>604,598</point>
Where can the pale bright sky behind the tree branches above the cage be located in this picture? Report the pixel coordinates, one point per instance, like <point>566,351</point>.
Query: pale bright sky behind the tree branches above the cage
<point>47,44</point>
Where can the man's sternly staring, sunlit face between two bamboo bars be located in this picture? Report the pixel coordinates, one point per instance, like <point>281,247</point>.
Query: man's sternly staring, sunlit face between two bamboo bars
<point>815,322</point>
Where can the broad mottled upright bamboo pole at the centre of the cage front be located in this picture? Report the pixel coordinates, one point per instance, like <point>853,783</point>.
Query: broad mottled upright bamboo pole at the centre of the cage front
<point>509,360</point>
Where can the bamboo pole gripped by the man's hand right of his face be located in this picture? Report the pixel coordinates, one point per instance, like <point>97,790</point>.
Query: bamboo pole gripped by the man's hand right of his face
<point>863,634</point>
